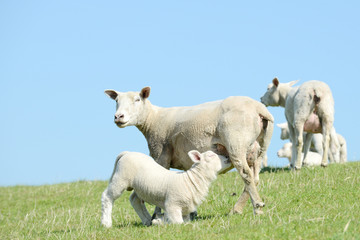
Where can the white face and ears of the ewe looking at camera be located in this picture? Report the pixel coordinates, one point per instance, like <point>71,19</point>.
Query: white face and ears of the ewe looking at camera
<point>129,106</point>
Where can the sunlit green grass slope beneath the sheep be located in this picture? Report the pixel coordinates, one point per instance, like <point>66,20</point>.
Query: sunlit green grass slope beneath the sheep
<point>314,203</point>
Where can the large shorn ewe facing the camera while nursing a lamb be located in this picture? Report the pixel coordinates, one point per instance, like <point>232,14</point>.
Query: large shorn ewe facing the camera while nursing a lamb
<point>235,123</point>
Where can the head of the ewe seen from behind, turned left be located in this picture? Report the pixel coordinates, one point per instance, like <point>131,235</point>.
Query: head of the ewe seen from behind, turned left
<point>276,93</point>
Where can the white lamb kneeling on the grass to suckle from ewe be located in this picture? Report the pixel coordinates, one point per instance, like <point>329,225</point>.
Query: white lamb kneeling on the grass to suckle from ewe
<point>178,193</point>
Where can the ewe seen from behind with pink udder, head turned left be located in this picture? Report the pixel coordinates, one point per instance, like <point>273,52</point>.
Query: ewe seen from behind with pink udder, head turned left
<point>308,108</point>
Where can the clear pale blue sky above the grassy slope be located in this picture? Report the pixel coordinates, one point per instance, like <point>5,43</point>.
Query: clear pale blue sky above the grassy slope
<point>58,57</point>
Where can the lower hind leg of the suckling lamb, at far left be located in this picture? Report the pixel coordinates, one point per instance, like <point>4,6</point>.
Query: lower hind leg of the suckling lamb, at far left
<point>107,200</point>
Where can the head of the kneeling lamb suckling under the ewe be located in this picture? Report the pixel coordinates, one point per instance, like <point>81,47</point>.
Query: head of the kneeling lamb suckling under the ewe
<point>210,161</point>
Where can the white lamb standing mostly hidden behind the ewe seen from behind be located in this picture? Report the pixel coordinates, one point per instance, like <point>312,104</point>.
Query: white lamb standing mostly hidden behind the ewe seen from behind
<point>337,144</point>
